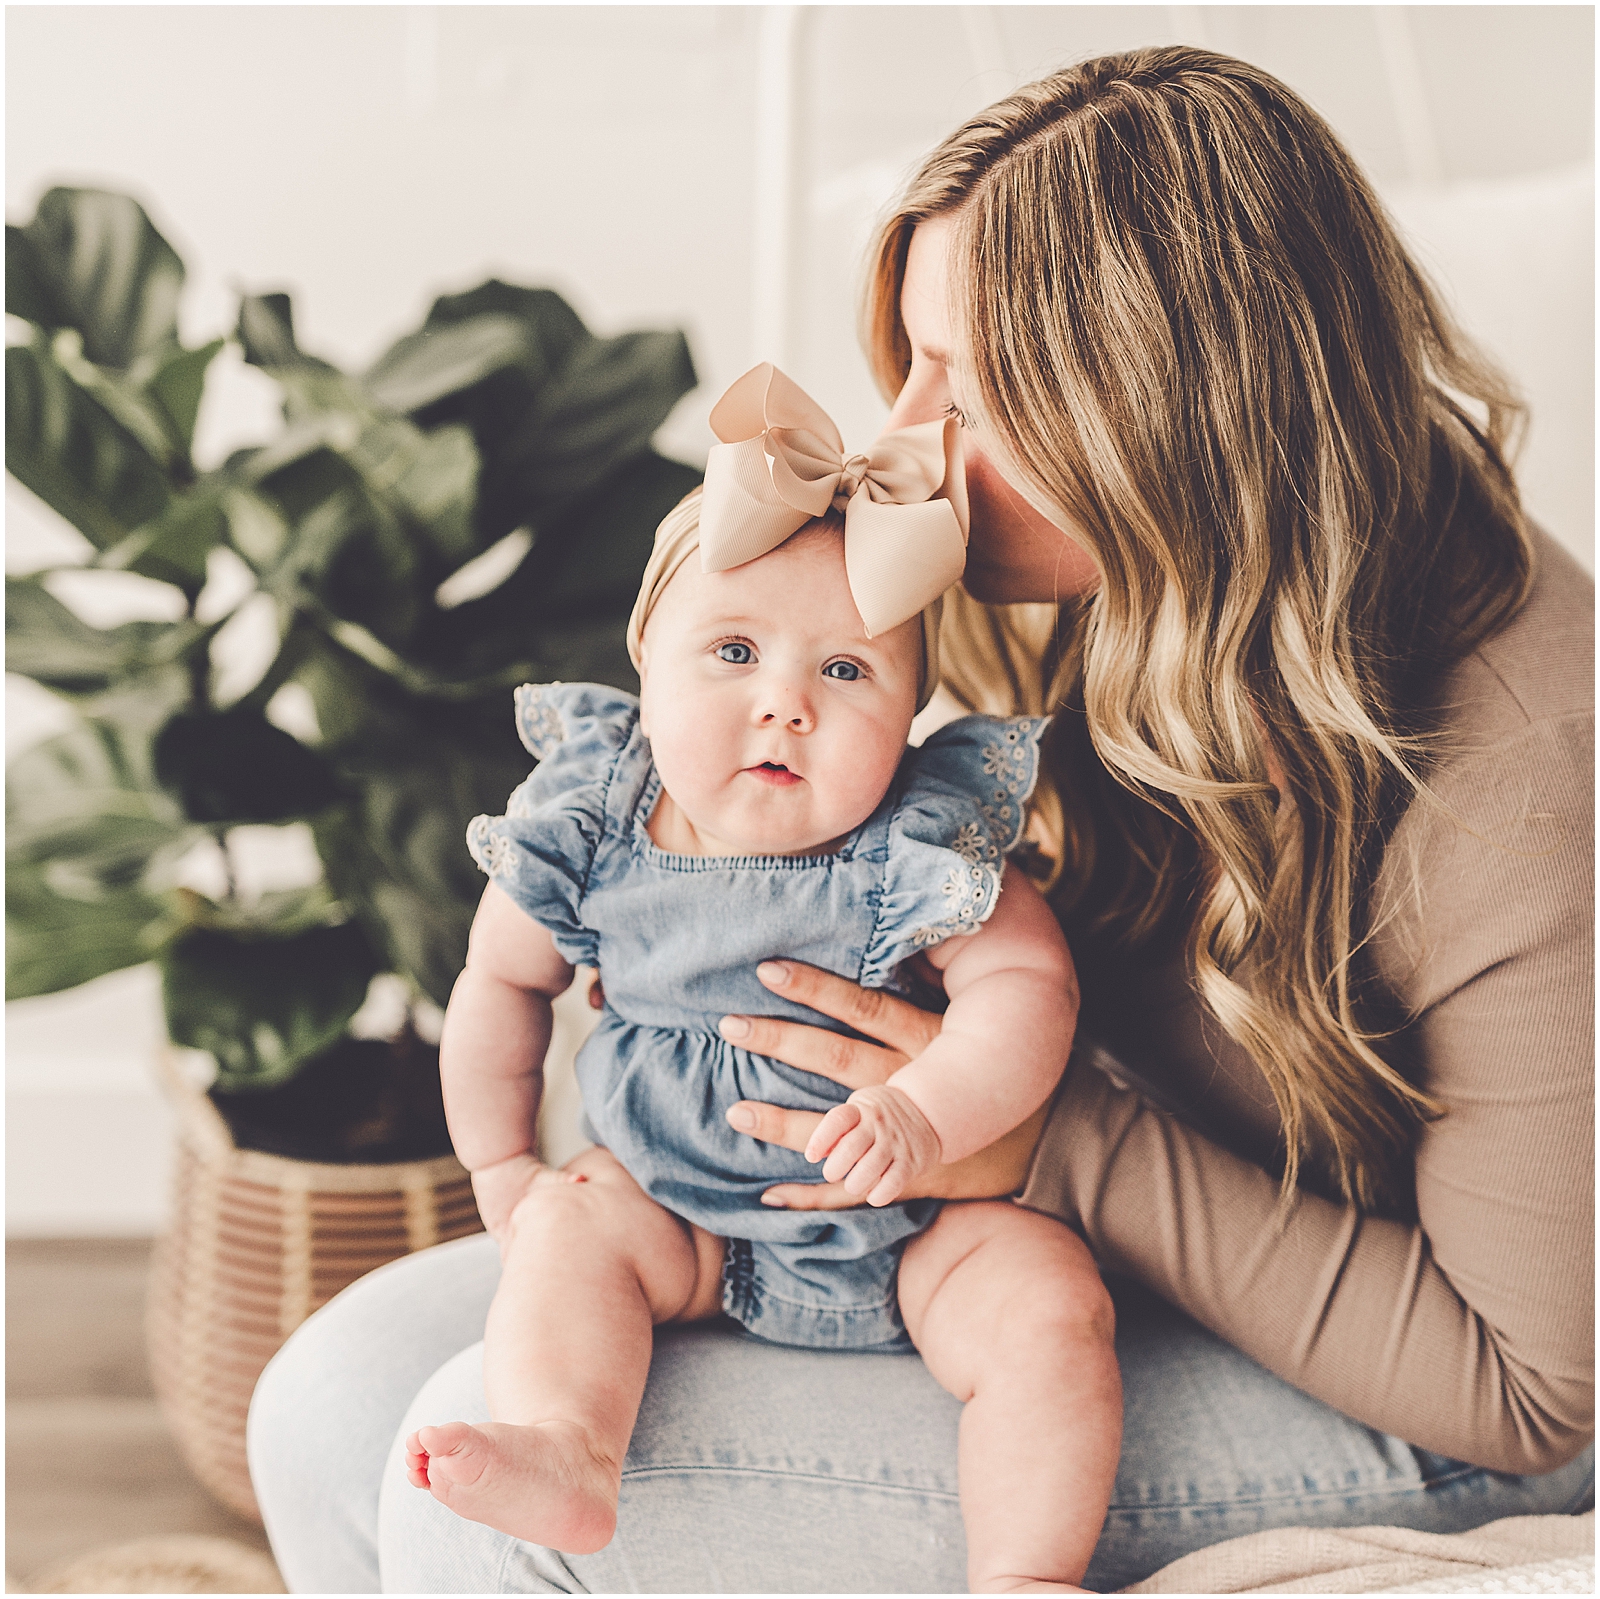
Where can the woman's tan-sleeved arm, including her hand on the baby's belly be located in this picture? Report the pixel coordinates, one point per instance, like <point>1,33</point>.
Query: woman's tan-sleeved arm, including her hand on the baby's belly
<point>1470,1332</point>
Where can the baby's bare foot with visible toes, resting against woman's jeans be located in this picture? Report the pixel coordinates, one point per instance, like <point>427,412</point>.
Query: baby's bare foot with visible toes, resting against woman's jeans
<point>543,1483</point>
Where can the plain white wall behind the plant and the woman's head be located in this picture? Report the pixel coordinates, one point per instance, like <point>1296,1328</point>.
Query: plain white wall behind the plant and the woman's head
<point>370,158</point>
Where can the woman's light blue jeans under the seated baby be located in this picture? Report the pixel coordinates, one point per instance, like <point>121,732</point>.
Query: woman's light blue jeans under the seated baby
<point>758,1469</point>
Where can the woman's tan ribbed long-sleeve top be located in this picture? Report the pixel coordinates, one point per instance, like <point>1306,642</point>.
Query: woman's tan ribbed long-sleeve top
<point>1471,1331</point>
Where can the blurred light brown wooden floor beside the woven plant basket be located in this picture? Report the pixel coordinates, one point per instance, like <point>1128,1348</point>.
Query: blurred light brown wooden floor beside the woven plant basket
<point>89,1461</point>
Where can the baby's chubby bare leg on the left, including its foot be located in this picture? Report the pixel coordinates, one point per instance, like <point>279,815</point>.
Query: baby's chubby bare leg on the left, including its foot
<point>588,1270</point>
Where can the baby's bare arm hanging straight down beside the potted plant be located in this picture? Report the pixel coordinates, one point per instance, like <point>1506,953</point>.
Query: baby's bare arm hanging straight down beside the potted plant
<point>492,1052</point>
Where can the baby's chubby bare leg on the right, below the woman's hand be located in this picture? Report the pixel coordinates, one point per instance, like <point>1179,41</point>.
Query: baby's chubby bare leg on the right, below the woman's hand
<point>1010,1315</point>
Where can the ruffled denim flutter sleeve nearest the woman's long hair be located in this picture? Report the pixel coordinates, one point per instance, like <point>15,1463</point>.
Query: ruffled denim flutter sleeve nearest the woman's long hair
<point>961,812</point>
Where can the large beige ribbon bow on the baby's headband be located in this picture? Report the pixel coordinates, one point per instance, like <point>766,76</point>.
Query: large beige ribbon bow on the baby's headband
<point>782,462</point>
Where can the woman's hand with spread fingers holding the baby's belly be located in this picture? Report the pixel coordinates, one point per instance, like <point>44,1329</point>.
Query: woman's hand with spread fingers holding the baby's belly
<point>903,1032</point>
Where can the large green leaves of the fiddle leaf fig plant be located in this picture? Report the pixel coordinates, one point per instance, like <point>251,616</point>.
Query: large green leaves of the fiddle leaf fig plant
<point>500,433</point>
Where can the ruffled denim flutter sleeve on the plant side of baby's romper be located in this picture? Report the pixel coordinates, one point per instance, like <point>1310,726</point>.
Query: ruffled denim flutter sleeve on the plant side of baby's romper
<point>543,849</point>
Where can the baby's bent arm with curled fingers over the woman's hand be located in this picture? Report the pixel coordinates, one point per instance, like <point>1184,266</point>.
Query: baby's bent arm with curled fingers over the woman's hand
<point>1002,1051</point>
